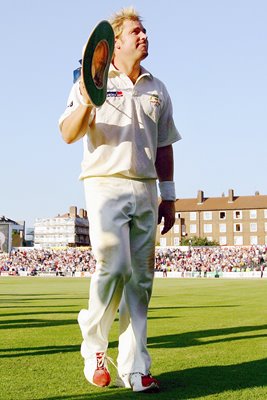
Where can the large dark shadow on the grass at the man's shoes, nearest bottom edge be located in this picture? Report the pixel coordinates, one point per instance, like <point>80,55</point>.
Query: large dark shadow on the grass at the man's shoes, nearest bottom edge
<point>191,383</point>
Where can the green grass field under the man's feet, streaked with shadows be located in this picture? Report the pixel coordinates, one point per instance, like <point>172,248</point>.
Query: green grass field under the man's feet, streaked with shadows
<point>207,338</point>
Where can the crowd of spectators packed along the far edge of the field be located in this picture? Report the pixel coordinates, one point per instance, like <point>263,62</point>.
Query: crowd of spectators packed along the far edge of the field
<point>71,260</point>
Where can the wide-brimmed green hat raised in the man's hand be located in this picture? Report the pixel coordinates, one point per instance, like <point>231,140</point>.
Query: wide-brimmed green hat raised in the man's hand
<point>97,57</point>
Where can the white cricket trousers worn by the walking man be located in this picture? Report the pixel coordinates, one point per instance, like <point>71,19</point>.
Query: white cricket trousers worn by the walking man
<point>122,221</point>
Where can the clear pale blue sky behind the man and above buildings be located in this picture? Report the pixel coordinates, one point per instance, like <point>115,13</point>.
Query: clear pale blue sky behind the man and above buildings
<point>211,55</point>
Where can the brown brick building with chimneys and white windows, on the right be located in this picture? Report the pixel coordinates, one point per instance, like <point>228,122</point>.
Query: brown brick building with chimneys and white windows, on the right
<point>229,220</point>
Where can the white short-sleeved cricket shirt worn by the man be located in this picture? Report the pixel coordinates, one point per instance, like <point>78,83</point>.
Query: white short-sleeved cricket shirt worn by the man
<point>125,132</point>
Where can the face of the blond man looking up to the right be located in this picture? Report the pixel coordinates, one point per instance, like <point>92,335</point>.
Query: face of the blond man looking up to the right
<point>133,42</point>
